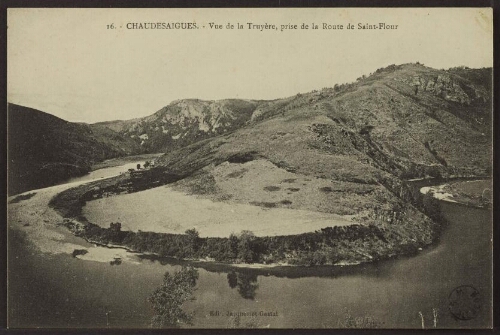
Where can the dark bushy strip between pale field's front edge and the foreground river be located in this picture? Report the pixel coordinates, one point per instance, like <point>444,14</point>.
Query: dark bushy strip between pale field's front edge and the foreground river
<point>384,234</point>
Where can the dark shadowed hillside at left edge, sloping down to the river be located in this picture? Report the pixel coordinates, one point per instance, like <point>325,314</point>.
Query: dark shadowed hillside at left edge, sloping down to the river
<point>44,149</point>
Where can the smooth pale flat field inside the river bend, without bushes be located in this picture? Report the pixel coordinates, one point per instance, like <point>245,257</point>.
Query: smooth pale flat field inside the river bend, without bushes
<point>165,210</point>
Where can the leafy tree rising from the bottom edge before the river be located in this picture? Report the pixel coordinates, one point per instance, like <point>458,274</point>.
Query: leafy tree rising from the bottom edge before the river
<point>167,300</point>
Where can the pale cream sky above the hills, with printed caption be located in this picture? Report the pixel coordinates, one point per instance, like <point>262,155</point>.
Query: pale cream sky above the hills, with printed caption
<point>65,62</point>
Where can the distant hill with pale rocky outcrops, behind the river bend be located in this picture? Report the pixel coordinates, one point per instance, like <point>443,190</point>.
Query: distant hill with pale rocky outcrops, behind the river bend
<point>184,122</point>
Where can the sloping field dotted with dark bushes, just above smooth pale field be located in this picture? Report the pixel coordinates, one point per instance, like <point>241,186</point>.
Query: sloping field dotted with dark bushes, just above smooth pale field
<point>262,183</point>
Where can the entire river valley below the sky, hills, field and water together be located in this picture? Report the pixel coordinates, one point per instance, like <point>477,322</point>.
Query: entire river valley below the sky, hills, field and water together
<point>309,196</point>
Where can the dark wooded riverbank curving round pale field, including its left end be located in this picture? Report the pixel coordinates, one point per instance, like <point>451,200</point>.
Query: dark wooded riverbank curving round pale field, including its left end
<point>380,234</point>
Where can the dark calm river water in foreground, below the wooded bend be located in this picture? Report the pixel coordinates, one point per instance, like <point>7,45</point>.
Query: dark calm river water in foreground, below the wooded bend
<point>58,290</point>
